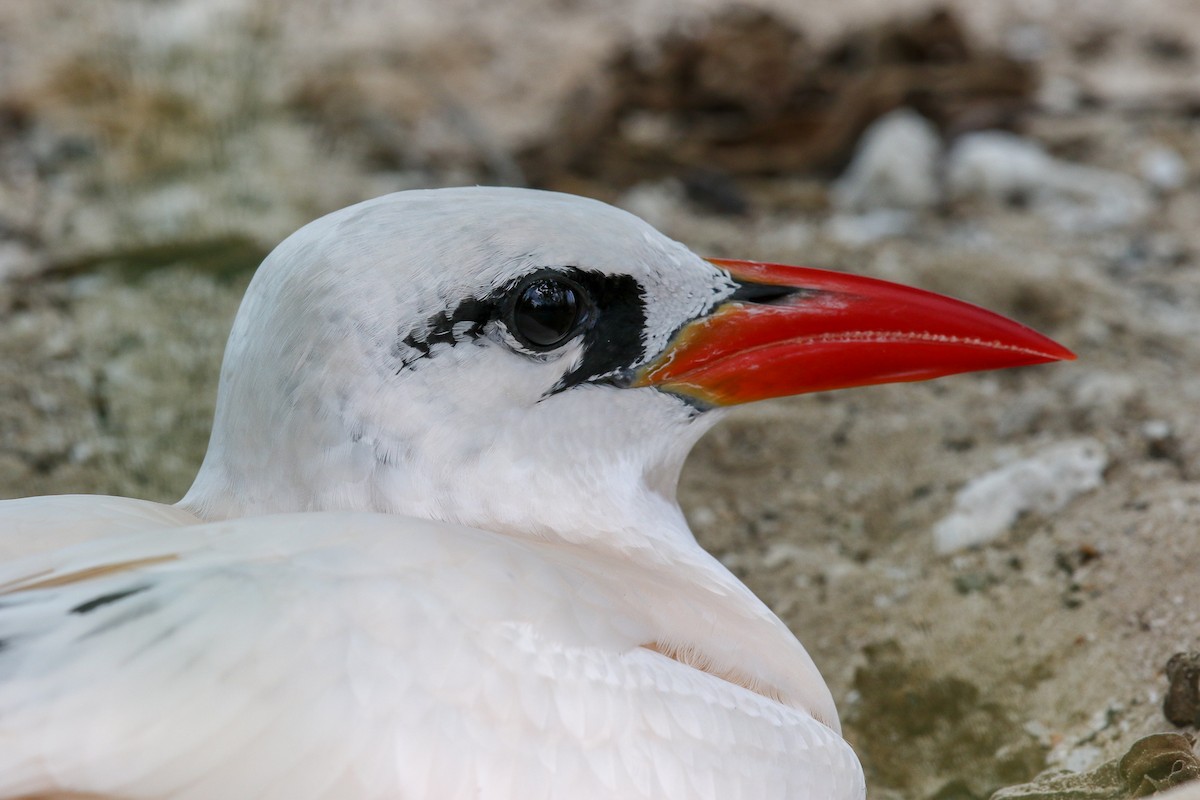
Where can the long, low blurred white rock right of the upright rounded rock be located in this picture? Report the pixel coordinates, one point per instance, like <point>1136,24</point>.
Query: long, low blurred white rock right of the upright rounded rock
<point>1003,167</point>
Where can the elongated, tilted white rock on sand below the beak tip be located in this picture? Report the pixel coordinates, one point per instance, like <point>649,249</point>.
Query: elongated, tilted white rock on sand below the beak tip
<point>1042,484</point>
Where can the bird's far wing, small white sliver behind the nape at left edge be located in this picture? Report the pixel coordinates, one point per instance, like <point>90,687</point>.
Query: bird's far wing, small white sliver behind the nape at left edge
<point>31,526</point>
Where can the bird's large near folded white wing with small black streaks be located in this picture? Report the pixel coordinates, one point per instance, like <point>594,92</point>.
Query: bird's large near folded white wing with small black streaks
<point>370,657</point>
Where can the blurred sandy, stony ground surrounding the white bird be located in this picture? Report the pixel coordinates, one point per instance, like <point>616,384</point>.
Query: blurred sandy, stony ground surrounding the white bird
<point>992,572</point>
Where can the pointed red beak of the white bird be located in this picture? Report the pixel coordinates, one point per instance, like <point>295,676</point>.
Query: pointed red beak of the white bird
<point>790,330</point>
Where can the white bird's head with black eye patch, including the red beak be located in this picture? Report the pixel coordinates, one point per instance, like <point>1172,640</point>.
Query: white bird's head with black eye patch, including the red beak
<point>537,363</point>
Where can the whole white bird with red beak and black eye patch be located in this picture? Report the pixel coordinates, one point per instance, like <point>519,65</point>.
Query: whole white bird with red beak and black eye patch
<point>434,550</point>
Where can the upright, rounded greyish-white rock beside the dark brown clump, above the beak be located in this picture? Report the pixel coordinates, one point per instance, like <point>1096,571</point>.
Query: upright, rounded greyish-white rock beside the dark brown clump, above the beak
<point>896,166</point>
